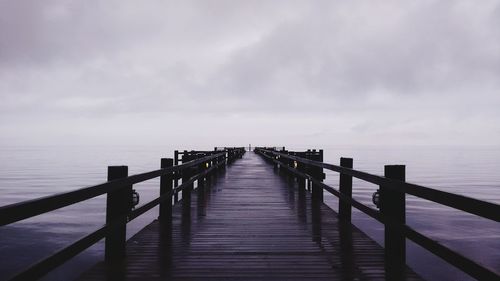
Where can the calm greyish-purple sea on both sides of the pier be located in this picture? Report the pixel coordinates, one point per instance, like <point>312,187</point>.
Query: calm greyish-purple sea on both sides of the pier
<point>32,172</point>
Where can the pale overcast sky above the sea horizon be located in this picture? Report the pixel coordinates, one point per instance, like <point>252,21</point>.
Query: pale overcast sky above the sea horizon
<point>239,72</point>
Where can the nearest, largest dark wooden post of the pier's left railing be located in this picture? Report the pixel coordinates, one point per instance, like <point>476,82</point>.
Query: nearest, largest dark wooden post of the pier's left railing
<point>118,204</point>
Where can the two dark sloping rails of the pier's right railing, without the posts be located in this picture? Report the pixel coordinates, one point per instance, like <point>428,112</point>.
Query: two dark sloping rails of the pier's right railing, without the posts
<point>473,206</point>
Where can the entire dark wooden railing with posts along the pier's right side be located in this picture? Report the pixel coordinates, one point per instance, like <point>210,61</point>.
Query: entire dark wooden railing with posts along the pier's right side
<point>307,167</point>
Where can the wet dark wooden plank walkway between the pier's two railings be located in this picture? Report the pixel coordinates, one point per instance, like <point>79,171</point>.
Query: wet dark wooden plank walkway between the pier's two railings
<point>251,225</point>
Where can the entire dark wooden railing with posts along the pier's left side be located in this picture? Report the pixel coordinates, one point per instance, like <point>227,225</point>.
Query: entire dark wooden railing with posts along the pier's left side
<point>196,166</point>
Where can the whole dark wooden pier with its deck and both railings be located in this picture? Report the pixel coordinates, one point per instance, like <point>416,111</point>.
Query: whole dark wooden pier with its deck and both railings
<point>251,216</point>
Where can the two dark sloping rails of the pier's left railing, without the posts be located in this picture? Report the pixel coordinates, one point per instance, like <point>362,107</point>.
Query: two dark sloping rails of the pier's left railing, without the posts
<point>19,211</point>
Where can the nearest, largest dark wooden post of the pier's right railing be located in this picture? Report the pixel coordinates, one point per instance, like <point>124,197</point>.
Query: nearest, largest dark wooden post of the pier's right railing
<point>392,207</point>
